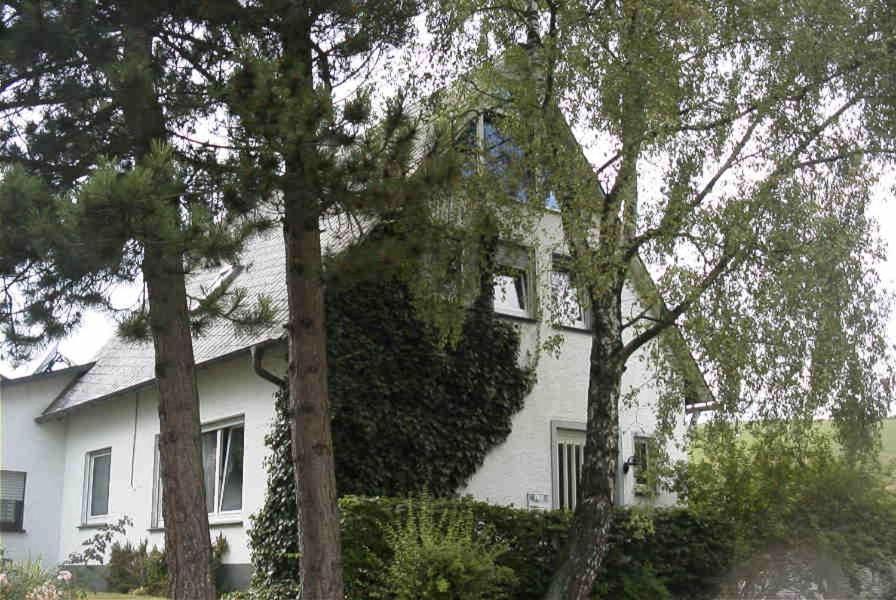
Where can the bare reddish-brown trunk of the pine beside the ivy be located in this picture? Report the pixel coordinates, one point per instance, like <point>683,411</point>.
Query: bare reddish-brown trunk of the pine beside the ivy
<point>321,557</point>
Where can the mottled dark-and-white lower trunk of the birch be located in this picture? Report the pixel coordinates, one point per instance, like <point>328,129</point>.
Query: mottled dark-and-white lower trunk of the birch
<point>589,533</point>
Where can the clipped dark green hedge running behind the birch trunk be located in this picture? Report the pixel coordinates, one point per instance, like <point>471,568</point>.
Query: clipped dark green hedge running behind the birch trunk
<point>662,553</point>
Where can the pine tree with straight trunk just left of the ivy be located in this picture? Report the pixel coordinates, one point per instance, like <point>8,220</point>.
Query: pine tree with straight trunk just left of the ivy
<point>317,156</point>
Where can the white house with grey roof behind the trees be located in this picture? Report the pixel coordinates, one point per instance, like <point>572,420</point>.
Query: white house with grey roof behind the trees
<point>78,446</point>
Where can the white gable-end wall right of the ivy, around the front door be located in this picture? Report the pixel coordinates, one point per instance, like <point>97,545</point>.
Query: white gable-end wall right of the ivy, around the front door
<point>523,463</point>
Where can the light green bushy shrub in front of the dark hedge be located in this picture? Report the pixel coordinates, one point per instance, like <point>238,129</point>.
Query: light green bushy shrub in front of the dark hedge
<point>444,557</point>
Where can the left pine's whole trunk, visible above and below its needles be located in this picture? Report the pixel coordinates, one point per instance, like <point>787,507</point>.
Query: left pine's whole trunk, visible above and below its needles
<point>187,541</point>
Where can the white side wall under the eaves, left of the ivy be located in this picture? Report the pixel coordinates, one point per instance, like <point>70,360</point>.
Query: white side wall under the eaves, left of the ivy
<point>129,425</point>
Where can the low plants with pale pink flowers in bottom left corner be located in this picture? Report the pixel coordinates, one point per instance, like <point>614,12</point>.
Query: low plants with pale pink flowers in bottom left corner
<point>28,580</point>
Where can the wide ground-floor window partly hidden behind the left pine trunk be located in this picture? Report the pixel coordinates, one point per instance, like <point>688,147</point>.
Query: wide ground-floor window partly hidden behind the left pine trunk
<point>222,469</point>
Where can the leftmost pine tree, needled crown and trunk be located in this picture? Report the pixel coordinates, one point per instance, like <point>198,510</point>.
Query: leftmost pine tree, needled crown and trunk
<point>100,188</point>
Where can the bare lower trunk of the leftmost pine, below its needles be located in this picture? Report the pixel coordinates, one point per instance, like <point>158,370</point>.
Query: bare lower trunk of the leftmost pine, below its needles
<point>187,542</point>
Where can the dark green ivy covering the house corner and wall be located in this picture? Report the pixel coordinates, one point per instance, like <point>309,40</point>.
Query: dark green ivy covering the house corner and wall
<point>409,414</point>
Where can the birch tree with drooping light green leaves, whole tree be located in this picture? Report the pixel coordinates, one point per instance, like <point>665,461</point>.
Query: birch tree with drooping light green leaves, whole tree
<point>740,143</point>
